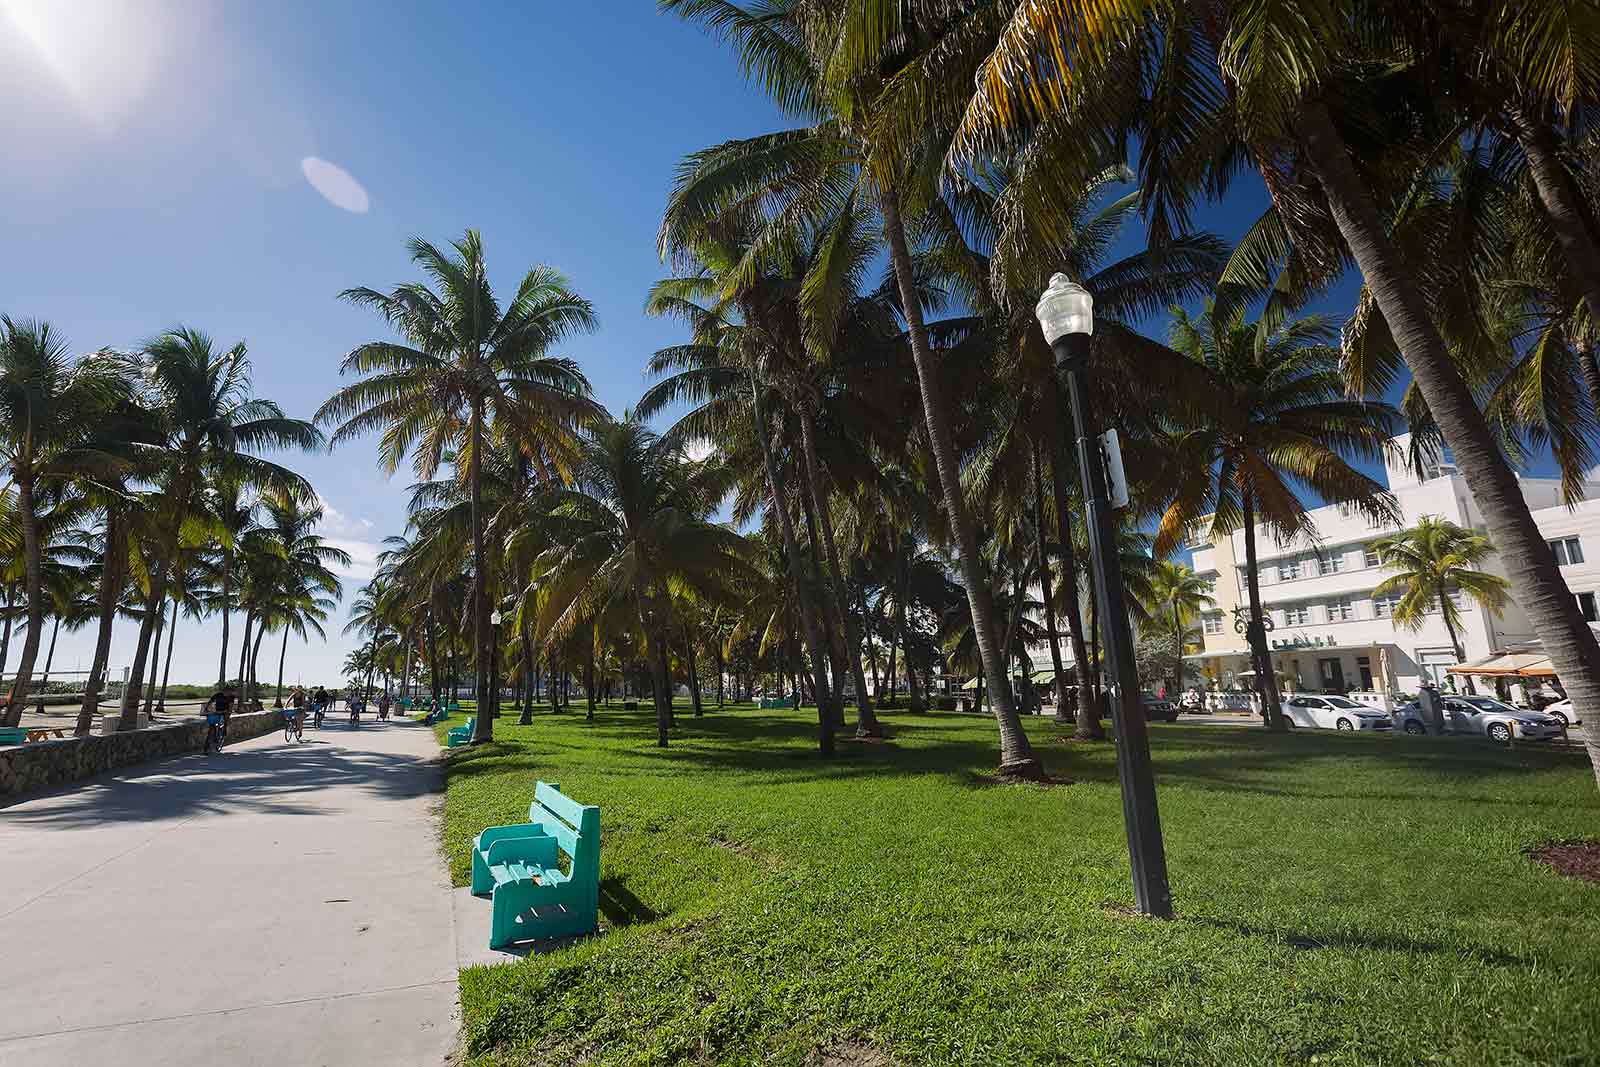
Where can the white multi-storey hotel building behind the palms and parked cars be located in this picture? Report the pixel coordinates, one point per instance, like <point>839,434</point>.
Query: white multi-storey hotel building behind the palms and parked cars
<point>1329,631</point>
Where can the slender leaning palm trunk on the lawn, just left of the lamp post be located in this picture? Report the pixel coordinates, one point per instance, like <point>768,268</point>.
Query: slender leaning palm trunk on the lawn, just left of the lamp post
<point>1017,754</point>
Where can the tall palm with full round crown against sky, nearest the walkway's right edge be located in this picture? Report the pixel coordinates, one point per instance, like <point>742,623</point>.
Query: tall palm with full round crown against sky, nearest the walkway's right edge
<point>462,364</point>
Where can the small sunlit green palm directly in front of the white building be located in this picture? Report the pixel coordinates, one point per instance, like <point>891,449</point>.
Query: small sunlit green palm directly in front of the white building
<point>1434,562</point>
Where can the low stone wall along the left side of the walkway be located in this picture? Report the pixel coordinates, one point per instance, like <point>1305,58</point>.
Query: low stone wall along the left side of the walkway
<point>41,765</point>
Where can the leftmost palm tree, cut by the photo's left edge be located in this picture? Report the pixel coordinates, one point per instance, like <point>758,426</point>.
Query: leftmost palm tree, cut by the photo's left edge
<point>50,407</point>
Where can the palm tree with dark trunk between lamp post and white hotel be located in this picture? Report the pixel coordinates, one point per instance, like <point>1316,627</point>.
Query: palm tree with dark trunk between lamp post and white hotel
<point>1268,414</point>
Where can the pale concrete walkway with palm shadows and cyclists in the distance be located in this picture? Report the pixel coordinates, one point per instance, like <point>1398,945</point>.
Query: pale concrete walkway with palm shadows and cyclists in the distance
<point>273,905</point>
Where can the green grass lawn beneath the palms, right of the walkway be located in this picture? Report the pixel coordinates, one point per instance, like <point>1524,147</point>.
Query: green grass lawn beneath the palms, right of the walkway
<point>1343,900</point>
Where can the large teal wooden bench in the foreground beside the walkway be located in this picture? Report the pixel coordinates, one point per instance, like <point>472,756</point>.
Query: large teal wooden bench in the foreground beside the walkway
<point>519,868</point>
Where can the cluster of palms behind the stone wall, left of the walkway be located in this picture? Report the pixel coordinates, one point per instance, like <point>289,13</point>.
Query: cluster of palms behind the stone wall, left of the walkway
<point>140,490</point>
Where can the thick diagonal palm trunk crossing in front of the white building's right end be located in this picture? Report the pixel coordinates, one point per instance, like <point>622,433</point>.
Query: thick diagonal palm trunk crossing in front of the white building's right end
<point>1529,559</point>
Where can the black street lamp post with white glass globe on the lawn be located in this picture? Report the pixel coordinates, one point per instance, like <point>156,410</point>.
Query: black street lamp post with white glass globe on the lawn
<point>1066,314</point>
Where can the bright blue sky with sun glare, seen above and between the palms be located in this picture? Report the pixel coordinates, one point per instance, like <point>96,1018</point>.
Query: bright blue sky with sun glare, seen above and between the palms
<point>159,172</point>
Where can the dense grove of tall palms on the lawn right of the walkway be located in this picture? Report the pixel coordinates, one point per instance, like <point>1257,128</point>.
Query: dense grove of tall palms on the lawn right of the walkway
<point>873,426</point>
